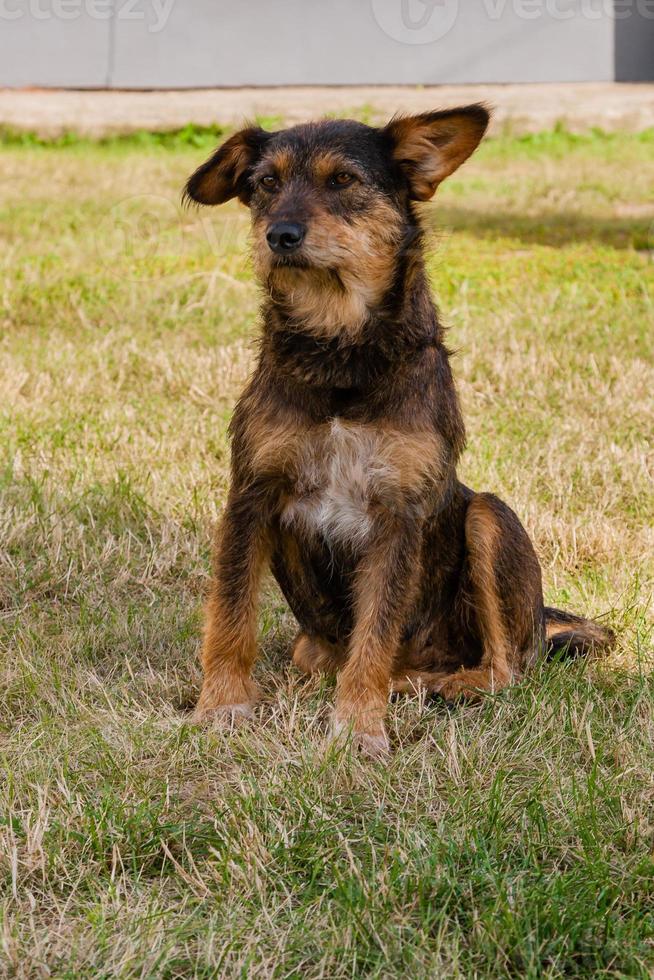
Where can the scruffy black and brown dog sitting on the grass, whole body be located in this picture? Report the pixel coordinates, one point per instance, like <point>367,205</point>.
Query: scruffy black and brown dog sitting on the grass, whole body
<point>346,439</point>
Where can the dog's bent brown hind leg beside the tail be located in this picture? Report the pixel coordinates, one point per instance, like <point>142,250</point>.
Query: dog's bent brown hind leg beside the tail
<point>505,600</point>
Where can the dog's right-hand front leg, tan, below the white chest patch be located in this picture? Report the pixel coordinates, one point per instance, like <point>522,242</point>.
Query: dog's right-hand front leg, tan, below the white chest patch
<point>384,588</point>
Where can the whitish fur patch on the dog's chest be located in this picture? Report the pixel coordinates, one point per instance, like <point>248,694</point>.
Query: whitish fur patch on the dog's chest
<point>337,481</point>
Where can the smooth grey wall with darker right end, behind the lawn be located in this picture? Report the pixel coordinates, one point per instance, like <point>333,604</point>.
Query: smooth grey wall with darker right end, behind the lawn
<point>196,43</point>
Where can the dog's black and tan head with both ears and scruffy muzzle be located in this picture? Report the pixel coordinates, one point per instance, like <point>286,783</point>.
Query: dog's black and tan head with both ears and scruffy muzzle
<point>331,202</point>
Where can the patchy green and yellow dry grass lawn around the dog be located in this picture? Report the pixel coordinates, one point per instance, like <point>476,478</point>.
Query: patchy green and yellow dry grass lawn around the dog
<point>512,839</point>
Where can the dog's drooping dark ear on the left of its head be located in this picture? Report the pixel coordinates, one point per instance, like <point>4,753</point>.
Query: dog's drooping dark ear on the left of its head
<point>226,173</point>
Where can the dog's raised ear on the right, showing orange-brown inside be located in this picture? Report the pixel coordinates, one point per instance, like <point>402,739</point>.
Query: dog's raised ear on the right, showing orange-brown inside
<point>431,146</point>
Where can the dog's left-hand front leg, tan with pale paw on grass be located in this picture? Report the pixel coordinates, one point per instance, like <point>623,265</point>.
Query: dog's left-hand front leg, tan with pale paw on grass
<point>229,646</point>
